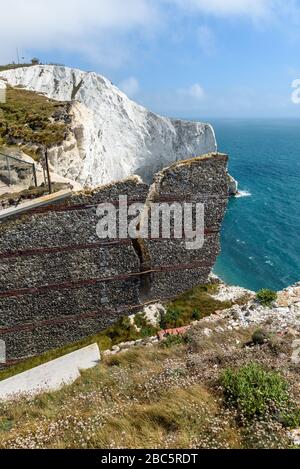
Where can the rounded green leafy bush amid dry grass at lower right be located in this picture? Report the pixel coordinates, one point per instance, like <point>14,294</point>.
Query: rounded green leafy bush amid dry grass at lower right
<point>254,392</point>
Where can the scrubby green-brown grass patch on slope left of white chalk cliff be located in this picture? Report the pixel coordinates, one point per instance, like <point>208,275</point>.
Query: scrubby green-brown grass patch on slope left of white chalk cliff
<point>28,118</point>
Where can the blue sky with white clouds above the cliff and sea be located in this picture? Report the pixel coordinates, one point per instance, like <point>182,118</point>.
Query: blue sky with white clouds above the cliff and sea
<point>181,58</point>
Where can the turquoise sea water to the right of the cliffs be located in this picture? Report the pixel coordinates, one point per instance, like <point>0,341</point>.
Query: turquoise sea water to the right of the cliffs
<point>261,232</point>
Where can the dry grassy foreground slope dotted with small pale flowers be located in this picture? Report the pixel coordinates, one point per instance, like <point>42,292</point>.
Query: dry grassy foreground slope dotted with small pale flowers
<point>153,397</point>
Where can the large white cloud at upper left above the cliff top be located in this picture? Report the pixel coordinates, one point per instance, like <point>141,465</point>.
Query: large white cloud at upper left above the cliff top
<point>96,29</point>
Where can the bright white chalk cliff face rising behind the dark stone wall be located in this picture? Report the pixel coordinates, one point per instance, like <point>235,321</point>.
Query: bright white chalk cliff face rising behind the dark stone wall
<point>112,137</point>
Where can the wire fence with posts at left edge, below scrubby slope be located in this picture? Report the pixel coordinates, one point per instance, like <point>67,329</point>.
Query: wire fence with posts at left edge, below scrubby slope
<point>8,166</point>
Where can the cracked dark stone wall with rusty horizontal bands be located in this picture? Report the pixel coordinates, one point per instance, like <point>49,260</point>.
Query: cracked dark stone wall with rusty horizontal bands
<point>60,283</point>
